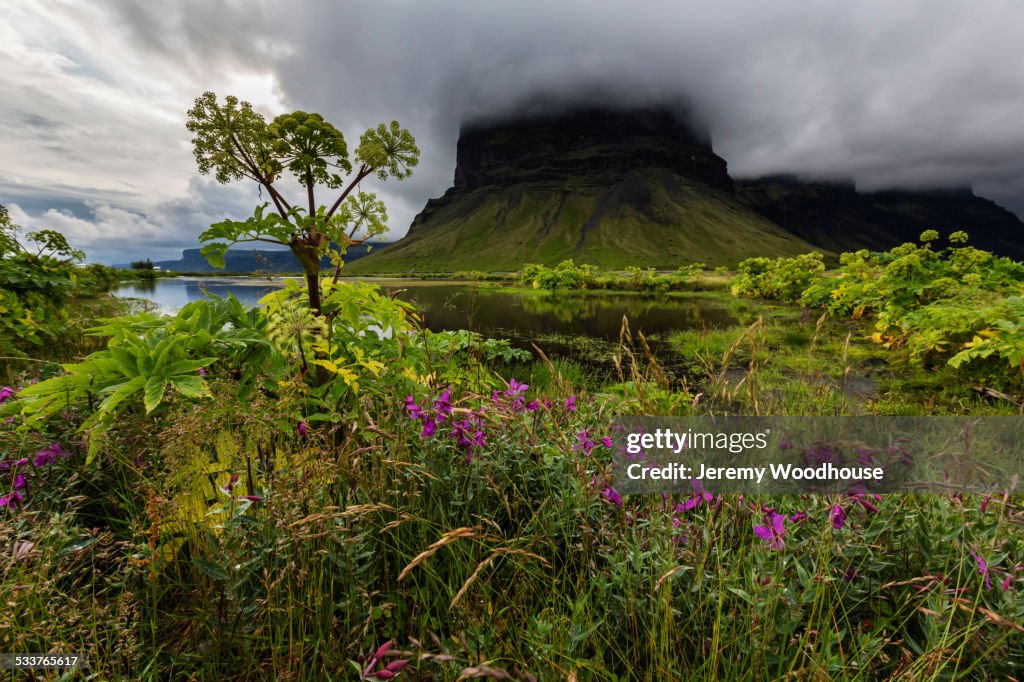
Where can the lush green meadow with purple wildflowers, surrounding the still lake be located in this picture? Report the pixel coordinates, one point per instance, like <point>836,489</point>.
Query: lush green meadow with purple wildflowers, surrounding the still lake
<point>268,493</point>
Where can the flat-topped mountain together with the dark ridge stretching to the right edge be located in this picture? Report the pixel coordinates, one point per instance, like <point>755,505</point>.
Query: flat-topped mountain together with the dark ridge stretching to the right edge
<point>621,188</point>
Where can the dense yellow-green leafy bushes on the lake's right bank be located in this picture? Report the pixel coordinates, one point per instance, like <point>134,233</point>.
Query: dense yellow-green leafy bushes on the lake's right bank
<point>961,306</point>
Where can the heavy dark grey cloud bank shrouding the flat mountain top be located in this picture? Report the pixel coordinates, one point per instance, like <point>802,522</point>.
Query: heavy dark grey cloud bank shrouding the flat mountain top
<point>919,94</point>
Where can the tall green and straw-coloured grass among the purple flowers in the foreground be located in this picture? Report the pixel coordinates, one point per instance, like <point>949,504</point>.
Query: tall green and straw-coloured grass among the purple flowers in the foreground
<point>519,565</point>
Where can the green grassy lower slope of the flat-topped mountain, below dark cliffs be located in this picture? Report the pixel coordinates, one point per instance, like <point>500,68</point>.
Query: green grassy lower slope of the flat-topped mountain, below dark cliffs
<point>652,218</point>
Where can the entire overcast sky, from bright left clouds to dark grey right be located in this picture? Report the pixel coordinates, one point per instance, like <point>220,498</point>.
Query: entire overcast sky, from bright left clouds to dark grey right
<point>888,94</point>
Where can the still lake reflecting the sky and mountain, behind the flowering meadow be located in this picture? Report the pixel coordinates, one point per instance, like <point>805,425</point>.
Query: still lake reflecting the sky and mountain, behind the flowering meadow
<point>584,327</point>
